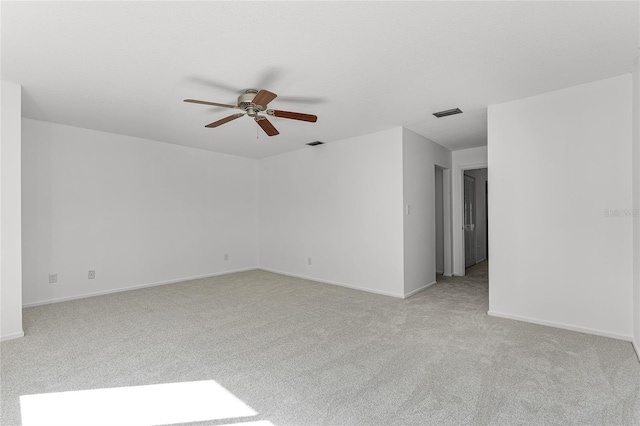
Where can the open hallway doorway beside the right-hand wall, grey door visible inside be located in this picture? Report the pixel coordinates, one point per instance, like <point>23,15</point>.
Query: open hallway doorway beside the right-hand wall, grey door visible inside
<point>475,218</point>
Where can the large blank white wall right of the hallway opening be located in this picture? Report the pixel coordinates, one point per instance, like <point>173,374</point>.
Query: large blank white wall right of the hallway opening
<point>557,163</point>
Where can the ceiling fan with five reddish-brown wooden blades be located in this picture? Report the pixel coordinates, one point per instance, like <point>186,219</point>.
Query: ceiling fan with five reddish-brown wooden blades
<point>253,102</point>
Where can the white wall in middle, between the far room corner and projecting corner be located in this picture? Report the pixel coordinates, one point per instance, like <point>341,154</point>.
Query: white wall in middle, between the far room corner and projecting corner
<point>339,204</point>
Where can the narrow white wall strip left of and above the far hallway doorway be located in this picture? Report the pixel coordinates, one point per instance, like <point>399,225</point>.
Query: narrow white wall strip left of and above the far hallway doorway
<point>464,159</point>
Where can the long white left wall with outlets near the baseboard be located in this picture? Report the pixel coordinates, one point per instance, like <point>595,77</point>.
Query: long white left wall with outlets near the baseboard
<point>136,211</point>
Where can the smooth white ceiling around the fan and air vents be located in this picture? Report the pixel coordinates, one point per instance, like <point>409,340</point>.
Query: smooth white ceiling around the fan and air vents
<point>361,67</point>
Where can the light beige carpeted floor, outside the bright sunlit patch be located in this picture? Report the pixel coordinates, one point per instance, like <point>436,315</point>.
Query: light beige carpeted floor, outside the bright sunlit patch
<point>304,353</point>
